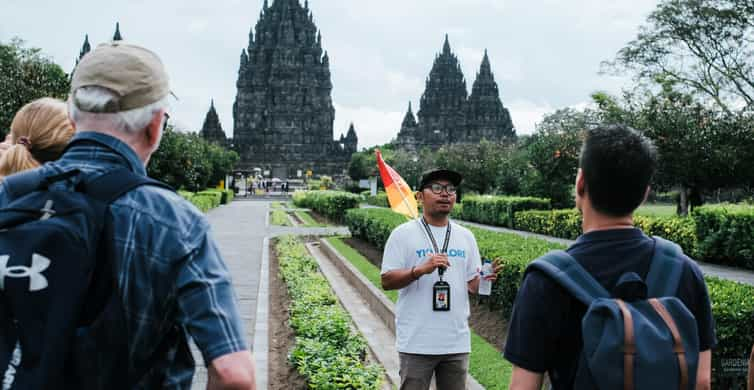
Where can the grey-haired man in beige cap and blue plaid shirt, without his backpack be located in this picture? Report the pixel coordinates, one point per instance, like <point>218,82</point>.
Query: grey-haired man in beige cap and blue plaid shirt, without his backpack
<point>171,279</point>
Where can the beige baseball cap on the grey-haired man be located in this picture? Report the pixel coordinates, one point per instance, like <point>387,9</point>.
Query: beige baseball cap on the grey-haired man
<point>134,73</point>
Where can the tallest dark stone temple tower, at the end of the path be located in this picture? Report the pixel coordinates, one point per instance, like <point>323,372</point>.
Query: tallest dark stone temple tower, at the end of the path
<point>283,114</point>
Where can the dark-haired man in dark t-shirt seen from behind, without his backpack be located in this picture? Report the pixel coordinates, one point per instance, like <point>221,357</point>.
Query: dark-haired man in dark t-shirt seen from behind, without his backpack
<point>616,166</point>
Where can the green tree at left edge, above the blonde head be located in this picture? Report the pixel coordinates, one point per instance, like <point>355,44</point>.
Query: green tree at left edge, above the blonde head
<point>26,74</point>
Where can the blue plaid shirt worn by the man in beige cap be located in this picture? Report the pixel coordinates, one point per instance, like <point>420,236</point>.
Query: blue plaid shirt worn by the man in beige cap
<point>170,271</point>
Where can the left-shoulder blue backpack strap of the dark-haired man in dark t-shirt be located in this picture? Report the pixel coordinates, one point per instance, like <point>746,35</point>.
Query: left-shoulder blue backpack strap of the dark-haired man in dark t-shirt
<point>570,275</point>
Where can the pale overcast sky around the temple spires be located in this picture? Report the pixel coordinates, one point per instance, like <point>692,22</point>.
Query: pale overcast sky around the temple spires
<point>545,54</point>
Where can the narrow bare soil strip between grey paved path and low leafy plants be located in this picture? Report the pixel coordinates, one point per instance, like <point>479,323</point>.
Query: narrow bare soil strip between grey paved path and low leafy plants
<point>281,373</point>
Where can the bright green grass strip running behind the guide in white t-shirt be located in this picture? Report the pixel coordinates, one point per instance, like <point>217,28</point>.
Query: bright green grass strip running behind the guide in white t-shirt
<point>486,364</point>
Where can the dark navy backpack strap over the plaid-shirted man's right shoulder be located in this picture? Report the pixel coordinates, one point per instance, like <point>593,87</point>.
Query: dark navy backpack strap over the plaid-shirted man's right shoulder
<point>112,185</point>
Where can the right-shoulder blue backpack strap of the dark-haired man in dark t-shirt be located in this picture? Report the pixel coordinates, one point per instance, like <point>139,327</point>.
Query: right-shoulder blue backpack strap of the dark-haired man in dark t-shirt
<point>666,268</point>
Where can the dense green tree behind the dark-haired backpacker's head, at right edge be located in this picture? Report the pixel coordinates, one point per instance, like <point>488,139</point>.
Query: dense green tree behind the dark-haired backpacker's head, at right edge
<point>700,149</point>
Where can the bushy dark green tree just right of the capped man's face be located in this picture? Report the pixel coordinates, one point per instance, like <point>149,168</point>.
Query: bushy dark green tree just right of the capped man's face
<point>187,161</point>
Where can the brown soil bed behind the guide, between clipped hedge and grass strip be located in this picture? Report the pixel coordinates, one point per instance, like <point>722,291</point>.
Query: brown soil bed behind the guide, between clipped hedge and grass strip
<point>485,322</point>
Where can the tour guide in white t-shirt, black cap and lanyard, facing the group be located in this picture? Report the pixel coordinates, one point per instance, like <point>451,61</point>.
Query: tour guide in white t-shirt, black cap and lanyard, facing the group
<point>433,262</point>
